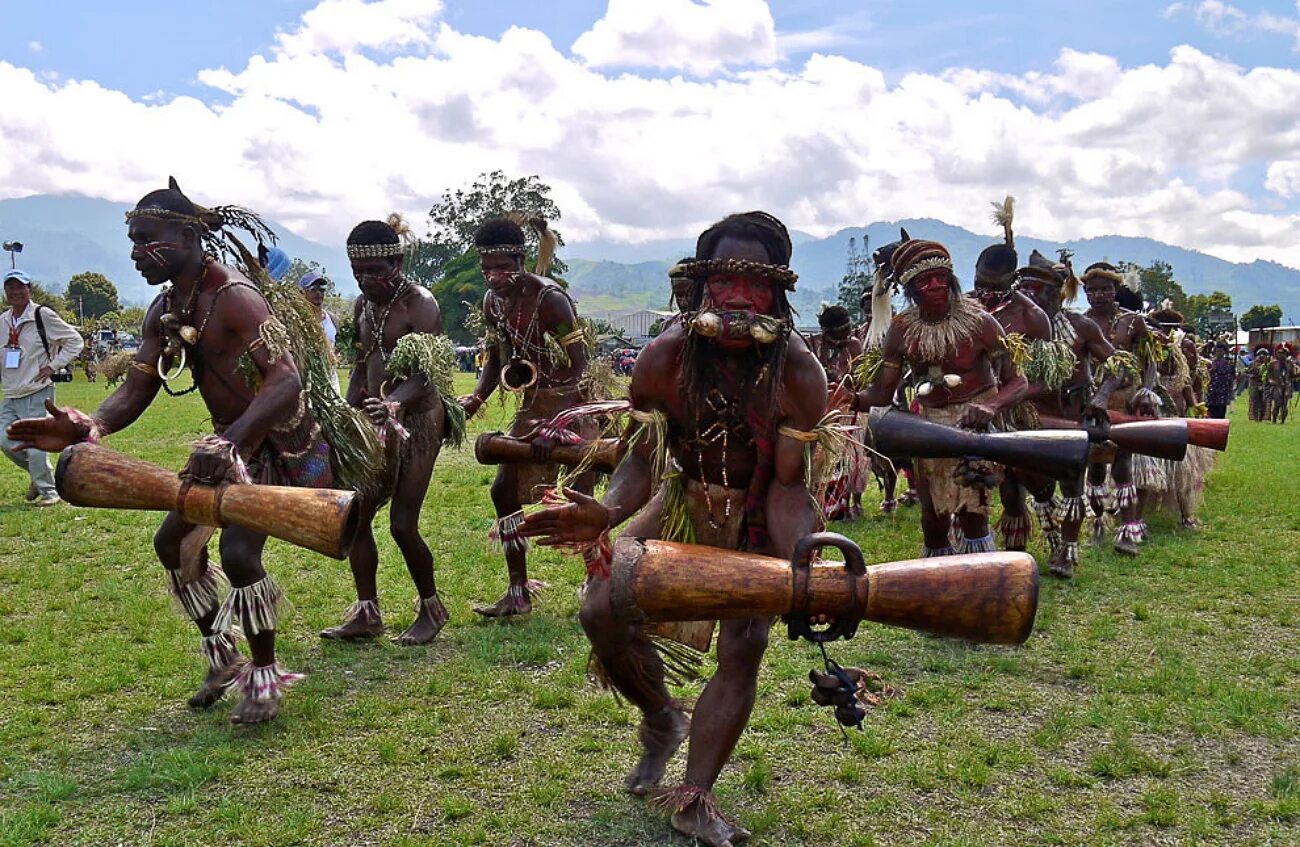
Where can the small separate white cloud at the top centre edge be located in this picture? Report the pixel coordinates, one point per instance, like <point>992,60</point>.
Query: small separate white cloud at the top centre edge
<point>699,38</point>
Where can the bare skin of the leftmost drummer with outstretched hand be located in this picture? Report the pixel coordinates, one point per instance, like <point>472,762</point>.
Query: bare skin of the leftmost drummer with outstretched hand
<point>170,251</point>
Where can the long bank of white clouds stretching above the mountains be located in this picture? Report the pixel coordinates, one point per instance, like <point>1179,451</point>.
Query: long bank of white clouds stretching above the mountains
<point>326,137</point>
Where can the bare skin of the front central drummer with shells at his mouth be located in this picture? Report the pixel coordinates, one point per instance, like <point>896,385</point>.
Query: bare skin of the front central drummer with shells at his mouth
<point>723,710</point>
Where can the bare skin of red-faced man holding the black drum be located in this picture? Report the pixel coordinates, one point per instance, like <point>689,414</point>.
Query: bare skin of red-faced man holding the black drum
<point>981,366</point>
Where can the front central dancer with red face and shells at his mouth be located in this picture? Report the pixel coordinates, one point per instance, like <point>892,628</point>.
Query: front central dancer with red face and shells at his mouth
<point>734,397</point>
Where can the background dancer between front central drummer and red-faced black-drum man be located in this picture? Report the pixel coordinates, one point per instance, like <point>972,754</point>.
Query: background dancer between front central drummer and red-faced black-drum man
<point>838,349</point>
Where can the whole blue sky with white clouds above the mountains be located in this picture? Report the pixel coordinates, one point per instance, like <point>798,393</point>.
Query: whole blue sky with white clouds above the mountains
<point>1171,120</point>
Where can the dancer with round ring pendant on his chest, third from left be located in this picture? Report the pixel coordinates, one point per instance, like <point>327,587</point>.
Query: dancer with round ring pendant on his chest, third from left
<point>536,349</point>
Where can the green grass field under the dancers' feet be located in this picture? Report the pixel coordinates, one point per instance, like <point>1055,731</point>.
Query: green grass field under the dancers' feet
<point>1158,702</point>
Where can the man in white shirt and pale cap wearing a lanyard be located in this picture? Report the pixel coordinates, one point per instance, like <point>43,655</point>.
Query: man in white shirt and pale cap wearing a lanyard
<point>37,344</point>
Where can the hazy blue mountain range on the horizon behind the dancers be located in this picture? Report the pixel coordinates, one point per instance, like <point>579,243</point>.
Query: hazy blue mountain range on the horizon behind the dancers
<point>66,236</point>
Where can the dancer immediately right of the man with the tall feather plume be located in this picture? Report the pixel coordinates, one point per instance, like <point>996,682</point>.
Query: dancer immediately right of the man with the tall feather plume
<point>1052,286</point>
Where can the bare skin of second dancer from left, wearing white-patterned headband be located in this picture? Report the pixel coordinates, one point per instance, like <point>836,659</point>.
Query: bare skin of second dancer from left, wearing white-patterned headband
<point>414,311</point>
